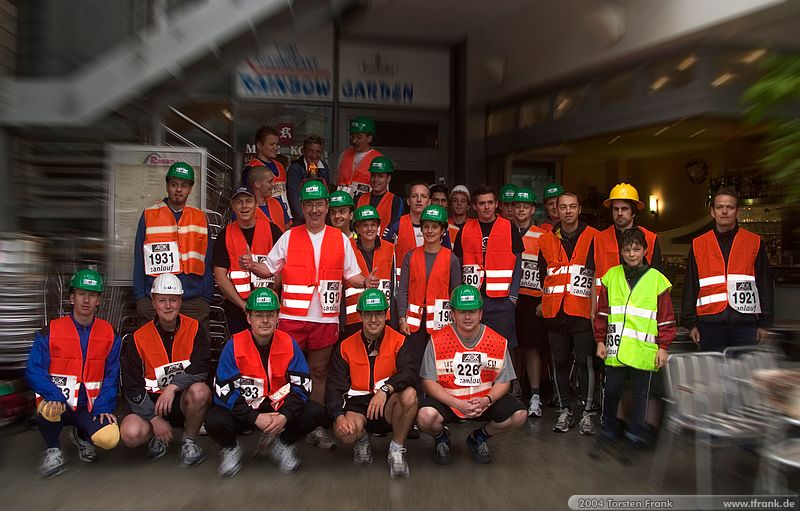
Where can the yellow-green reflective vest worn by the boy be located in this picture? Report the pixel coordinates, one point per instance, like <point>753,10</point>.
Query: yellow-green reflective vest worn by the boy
<point>632,323</point>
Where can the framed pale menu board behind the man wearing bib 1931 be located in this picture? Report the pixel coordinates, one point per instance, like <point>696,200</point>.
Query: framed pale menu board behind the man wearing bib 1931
<point>136,181</point>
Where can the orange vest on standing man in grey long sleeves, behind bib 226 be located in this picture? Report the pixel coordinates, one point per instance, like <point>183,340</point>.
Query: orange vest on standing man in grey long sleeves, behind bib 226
<point>423,292</point>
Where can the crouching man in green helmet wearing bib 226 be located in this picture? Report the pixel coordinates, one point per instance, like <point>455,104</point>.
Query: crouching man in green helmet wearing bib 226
<point>467,374</point>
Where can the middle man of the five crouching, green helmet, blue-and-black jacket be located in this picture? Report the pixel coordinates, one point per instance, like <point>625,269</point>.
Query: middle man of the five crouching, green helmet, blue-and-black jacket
<point>263,383</point>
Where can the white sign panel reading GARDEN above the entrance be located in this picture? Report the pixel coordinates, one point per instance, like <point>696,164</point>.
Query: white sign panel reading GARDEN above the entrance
<point>394,75</point>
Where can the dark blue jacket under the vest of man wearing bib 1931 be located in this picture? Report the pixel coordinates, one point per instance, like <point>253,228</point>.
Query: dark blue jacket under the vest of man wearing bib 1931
<point>193,285</point>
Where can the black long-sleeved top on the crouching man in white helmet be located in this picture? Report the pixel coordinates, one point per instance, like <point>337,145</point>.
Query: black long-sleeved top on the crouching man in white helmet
<point>133,385</point>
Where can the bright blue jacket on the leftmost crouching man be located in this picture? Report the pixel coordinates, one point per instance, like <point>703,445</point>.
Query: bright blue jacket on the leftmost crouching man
<point>38,372</point>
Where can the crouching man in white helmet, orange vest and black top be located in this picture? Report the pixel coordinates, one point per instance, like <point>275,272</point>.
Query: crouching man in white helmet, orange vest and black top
<point>164,372</point>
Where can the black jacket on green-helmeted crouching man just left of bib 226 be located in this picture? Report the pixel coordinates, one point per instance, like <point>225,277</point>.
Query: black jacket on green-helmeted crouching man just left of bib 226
<point>338,382</point>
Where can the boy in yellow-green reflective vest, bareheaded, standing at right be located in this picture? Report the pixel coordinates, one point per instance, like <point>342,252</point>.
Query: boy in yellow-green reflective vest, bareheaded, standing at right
<point>633,328</point>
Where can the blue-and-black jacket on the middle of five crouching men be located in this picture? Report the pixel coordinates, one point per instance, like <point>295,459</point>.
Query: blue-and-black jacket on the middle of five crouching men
<point>227,393</point>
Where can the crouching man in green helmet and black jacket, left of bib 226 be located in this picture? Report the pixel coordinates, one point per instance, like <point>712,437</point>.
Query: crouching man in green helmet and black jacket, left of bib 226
<point>371,385</point>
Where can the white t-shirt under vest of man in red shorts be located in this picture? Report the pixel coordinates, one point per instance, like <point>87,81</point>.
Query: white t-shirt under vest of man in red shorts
<point>277,258</point>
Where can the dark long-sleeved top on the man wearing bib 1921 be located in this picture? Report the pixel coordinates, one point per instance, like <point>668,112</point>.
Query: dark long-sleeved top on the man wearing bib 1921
<point>764,283</point>
